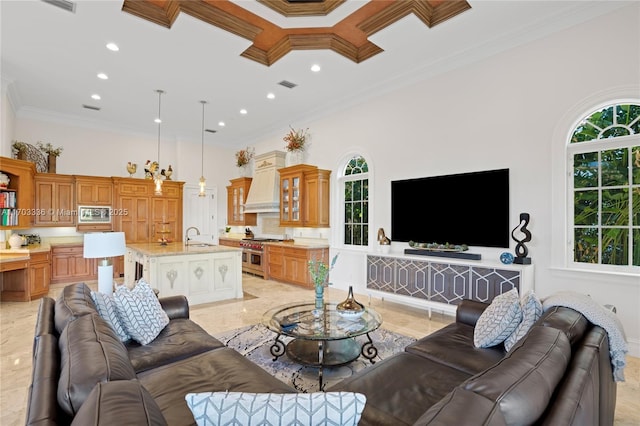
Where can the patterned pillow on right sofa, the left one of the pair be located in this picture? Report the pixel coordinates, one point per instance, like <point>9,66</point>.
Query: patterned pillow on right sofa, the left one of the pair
<point>499,320</point>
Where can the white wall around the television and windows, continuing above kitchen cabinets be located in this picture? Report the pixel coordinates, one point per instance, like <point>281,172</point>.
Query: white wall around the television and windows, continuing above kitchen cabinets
<point>509,111</point>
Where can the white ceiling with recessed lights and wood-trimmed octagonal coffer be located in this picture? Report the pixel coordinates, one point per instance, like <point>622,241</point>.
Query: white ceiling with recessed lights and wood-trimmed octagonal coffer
<point>233,53</point>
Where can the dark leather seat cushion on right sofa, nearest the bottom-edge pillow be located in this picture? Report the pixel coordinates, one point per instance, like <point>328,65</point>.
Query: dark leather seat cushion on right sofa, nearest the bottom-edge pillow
<point>399,389</point>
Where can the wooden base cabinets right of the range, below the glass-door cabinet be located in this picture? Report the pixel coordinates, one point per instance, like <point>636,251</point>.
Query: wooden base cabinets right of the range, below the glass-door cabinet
<point>290,264</point>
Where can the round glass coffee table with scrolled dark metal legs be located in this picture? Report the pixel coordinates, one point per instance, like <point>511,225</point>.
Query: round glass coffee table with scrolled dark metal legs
<point>321,338</point>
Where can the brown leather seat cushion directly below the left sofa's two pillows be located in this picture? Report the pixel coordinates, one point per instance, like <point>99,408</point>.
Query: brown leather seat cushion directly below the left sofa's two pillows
<point>180,339</point>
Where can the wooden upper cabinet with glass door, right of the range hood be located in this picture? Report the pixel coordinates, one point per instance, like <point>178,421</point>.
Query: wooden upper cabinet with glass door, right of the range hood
<point>304,196</point>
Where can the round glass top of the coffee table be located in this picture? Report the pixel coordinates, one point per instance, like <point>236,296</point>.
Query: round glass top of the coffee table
<point>301,321</point>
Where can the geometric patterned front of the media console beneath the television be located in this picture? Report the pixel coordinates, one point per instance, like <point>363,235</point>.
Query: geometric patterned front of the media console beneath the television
<point>444,284</point>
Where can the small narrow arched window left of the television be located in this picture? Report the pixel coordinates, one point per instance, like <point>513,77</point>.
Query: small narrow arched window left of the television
<point>356,202</point>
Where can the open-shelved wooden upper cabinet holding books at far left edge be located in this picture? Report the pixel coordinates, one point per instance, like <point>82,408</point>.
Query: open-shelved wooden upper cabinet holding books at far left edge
<point>17,197</point>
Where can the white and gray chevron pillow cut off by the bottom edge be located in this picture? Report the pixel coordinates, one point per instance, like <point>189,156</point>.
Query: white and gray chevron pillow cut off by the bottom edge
<point>250,409</point>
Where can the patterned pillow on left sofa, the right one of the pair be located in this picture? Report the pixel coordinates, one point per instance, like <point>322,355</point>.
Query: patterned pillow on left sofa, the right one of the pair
<point>140,312</point>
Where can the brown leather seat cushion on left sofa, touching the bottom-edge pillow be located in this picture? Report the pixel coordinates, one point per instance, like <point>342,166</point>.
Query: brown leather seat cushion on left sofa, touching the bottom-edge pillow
<point>214,371</point>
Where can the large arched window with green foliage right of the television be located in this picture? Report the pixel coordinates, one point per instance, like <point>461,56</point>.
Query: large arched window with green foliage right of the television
<point>604,151</point>
